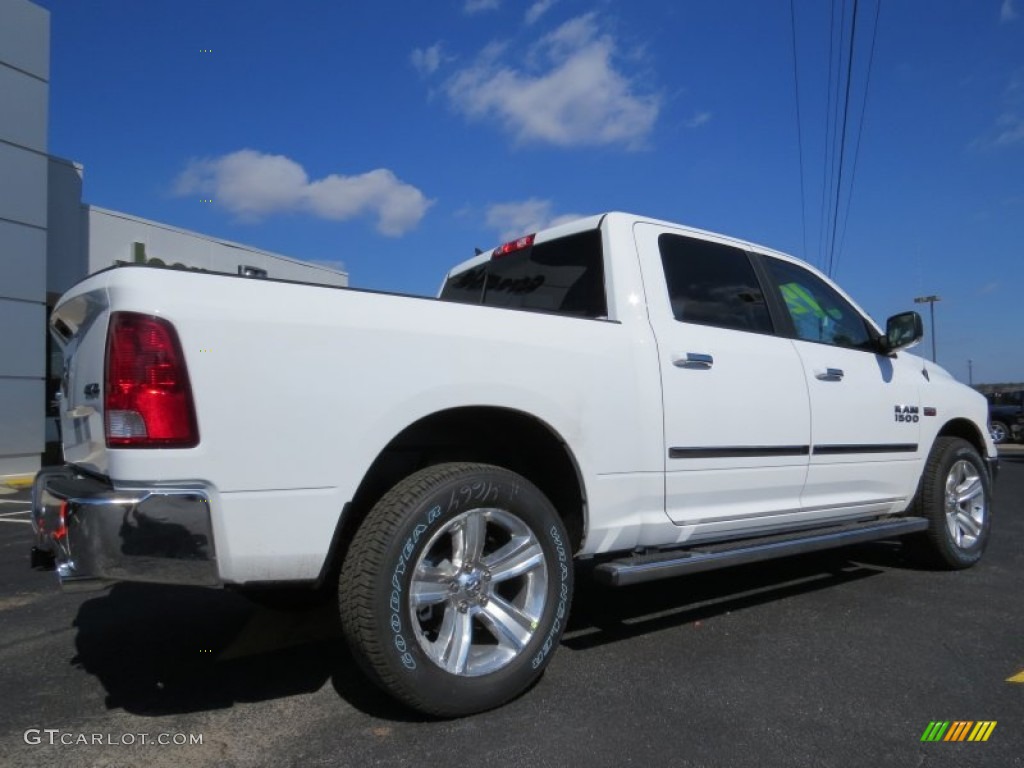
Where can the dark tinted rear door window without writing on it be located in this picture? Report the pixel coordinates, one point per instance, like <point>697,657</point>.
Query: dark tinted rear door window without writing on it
<point>713,285</point>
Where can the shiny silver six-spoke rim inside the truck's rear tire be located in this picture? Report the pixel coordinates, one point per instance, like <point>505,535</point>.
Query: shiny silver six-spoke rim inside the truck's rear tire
<point>479,592</point>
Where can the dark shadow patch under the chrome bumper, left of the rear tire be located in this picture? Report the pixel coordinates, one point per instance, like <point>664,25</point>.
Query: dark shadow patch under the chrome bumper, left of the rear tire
<point>165,651</point>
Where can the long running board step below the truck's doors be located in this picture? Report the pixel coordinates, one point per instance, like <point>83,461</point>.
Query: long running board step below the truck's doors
<point>649,568</point>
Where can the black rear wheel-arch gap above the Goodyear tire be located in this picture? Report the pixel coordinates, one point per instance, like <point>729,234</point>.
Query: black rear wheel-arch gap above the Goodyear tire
<point>489,435</point>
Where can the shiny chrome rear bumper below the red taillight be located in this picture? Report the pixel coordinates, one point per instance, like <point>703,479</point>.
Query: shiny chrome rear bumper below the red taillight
<point>100,534</point>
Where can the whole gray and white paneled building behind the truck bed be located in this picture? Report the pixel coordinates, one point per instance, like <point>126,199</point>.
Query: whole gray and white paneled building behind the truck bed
<point>50,240</point>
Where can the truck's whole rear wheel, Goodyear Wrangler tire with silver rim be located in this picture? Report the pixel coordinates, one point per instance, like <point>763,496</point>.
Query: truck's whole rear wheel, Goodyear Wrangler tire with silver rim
<point>492,567</point>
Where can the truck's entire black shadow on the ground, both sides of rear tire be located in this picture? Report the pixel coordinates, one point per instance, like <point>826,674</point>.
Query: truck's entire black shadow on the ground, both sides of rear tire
<point>165,651</point>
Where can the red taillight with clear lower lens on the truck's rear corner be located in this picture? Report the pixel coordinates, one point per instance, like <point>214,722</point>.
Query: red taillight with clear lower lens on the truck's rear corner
<point>149,401</point>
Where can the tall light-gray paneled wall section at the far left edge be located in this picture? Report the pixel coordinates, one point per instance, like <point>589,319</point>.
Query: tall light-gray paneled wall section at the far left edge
<point>25,72</point>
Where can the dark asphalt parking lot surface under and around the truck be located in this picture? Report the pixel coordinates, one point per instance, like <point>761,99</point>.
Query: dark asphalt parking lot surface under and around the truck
<point>840,659</point>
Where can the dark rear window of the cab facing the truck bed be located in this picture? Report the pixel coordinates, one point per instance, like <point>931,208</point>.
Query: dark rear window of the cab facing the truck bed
<point>564,276</point>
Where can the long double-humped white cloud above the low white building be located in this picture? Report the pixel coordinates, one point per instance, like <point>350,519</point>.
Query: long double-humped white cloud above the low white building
<point>252,185</point>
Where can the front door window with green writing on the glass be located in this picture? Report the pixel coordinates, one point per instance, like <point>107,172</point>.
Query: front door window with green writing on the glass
<point>819,313</point>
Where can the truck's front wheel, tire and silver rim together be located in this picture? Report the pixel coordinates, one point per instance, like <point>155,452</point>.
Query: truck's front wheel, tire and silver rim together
<point>959,531</point>
